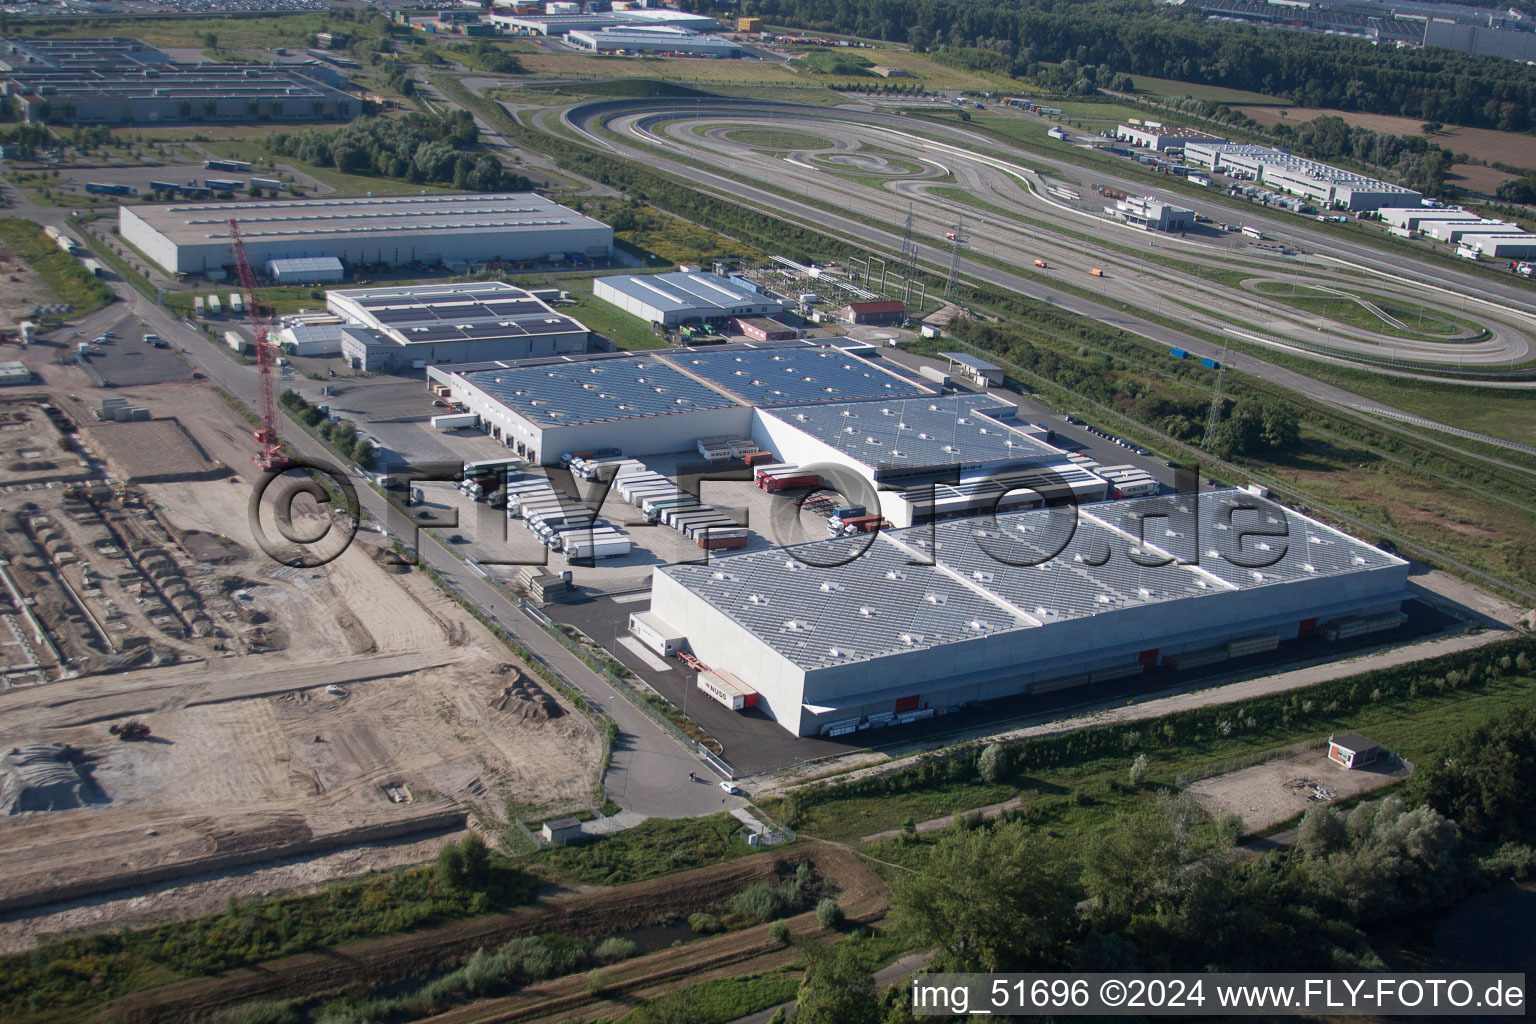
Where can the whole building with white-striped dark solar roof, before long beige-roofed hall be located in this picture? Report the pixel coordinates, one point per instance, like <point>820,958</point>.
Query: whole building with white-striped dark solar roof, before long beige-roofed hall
<point>420,325</point>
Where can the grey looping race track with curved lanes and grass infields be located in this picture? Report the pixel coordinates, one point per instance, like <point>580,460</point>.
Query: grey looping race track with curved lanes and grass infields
<point>1388,314</point>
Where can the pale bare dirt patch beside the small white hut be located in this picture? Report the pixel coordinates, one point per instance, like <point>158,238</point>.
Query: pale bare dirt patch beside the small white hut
<point>1277,791</point>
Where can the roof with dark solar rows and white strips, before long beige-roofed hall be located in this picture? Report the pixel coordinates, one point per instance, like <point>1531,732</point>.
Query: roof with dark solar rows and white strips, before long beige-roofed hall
<point>423,314</point>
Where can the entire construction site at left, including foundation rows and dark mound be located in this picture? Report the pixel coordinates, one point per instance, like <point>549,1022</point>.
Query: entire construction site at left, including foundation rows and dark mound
<point>222,710</point>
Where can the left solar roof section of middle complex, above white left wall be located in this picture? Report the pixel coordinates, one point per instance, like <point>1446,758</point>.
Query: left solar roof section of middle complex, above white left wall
<point>597,391</point>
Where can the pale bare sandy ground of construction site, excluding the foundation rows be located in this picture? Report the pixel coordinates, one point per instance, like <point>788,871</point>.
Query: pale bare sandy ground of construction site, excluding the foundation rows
<point>251,750</point>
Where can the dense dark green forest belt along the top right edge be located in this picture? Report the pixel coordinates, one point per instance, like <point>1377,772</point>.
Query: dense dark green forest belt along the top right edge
<point>1139,38</point>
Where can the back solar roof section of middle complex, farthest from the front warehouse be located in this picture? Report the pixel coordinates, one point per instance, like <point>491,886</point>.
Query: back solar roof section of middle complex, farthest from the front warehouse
<point>795,375</point>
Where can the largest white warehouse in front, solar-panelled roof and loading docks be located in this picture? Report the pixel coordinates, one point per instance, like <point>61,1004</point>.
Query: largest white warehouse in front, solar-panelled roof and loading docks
<point>899,626</point>
